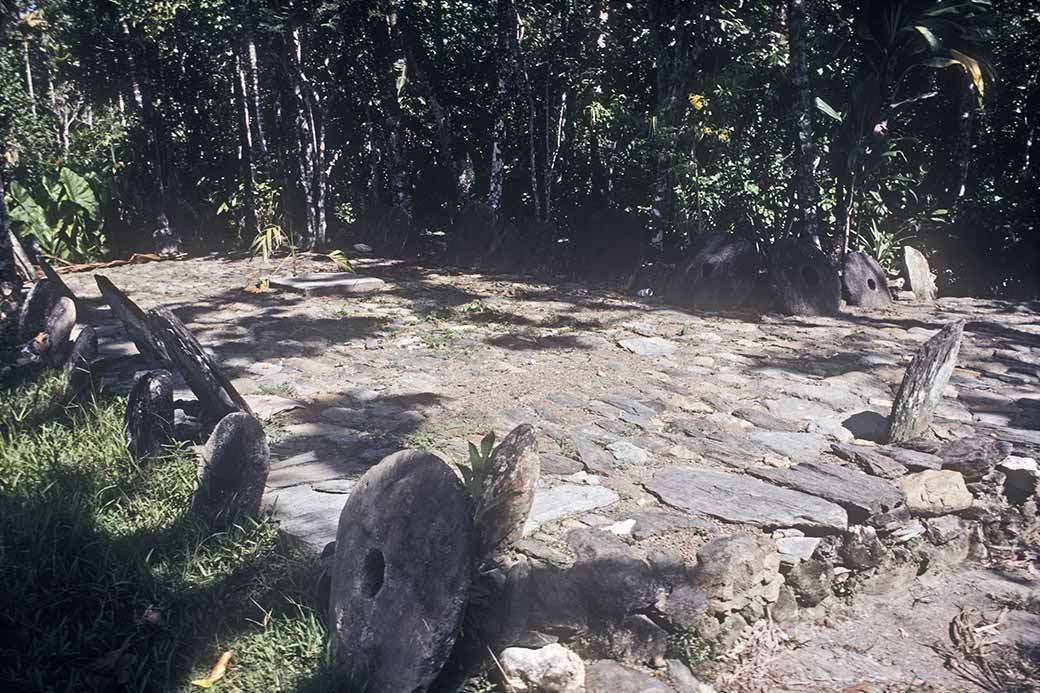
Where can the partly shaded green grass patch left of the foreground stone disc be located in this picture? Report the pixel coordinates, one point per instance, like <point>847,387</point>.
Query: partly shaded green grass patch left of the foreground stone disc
<point>108,584</point>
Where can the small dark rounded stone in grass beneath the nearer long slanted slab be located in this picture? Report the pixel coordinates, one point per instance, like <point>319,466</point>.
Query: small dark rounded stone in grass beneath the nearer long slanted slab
<point>149,420</point>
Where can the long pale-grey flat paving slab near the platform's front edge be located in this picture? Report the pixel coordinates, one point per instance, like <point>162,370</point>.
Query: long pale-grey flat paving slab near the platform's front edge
<point>740,499</point>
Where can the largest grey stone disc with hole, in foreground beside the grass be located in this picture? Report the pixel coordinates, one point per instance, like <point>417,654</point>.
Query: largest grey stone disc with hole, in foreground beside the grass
<point>405,555</point>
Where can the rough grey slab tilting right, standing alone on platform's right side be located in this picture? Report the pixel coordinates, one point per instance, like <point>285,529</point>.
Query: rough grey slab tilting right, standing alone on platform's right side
<point>924,383</point>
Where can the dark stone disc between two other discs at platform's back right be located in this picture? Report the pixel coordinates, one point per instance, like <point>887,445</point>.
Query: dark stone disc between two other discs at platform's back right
<point>805,280</point>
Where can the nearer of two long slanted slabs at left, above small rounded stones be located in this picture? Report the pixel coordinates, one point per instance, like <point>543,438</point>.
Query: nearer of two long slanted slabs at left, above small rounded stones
<point>216,394</point>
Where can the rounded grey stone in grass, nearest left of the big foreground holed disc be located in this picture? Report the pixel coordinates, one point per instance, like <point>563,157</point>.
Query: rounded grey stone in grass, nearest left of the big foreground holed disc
<point>233,470</point>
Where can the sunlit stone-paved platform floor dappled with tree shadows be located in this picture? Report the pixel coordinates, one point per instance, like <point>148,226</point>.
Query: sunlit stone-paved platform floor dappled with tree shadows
<point>623,394</point>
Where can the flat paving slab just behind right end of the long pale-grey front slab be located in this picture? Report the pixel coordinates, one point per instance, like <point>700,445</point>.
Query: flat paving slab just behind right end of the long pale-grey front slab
<point>860,495</point>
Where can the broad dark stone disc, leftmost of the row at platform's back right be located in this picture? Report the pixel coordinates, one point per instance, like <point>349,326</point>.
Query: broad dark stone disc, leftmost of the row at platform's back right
<point>720,276</point>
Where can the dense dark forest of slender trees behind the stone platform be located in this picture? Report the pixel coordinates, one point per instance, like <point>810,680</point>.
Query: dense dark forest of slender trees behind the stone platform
<point>550,132</point>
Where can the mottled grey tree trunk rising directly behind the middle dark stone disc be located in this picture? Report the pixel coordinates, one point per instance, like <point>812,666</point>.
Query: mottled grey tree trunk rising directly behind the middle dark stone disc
<point>807,192</point>
